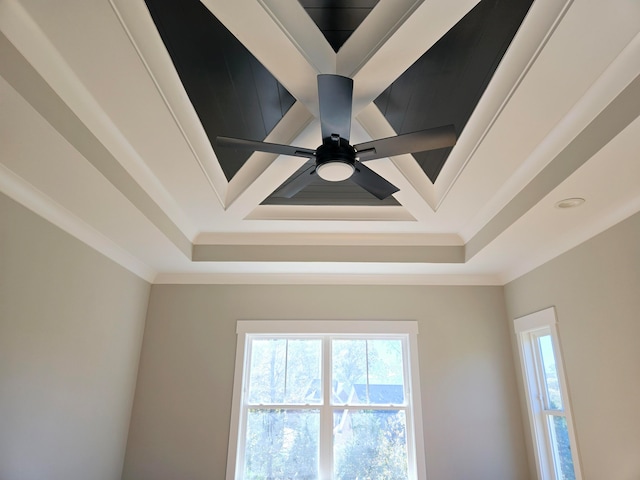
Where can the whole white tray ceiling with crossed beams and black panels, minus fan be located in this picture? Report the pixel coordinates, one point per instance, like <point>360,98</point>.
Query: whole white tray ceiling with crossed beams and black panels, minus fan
<point>110,110</point>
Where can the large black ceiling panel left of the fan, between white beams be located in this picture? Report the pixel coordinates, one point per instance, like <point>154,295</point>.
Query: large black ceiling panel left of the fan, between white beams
<point>232,93</point>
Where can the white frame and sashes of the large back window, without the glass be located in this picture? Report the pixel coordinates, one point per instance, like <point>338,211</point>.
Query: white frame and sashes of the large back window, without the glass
<point>327,331</point>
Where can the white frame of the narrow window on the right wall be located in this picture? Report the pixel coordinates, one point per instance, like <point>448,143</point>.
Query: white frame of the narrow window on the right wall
<point>528,329</point>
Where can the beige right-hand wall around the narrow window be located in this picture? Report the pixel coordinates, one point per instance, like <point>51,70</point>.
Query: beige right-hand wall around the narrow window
<point>596,291</point>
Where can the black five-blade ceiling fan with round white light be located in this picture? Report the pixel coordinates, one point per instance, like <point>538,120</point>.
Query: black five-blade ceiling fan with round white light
<point>336,159</point>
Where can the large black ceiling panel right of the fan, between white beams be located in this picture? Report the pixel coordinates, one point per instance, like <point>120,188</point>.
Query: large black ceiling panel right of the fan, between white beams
<point>445,84</point>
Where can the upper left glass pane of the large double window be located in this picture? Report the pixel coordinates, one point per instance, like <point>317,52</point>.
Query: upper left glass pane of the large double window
<point>285,371</point>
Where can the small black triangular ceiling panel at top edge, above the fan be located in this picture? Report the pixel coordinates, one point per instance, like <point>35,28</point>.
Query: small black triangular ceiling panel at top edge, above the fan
<point>338,19</point>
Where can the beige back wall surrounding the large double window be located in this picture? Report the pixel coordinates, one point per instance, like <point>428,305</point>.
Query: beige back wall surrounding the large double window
<point>180,421</point>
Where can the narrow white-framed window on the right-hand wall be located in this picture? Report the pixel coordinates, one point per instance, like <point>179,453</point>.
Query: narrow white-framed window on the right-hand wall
<point>547,399</point>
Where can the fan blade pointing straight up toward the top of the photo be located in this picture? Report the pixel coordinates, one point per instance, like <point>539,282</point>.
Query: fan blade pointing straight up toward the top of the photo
<point>335,94</point>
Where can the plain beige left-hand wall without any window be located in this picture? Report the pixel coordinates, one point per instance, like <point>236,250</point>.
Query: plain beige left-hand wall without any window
<point>71,324</point>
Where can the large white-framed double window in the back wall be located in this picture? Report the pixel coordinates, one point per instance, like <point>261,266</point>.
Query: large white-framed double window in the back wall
<point>326,400</point>
